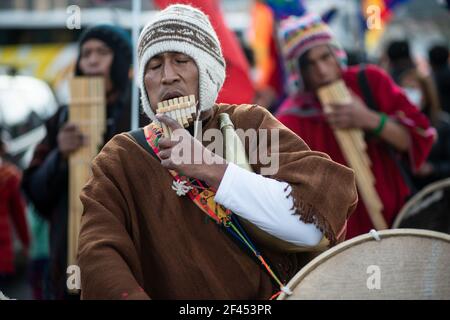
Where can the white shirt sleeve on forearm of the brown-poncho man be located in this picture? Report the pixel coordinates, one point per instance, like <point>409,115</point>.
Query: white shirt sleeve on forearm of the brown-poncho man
<point>263,202</point>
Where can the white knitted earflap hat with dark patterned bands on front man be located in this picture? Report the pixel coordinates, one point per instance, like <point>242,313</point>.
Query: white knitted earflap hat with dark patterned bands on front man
<point>184,29</point>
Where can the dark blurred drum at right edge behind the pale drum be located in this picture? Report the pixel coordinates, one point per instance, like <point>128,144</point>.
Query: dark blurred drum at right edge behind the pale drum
<point>429,209</point>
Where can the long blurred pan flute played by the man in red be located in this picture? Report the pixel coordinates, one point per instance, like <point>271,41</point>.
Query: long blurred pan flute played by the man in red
<point>353,146</point>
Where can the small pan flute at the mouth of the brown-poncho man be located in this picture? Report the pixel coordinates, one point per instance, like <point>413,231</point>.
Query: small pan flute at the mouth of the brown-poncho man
<point>182,110</point>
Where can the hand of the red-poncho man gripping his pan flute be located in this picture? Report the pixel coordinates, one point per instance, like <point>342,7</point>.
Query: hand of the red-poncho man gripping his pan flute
<point>353,115</point>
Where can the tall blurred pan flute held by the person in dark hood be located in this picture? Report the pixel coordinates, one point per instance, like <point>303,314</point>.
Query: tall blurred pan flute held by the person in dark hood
<point>87,110</point>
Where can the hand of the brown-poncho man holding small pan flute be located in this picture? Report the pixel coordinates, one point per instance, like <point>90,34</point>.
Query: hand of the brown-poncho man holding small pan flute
<point>185,154</point>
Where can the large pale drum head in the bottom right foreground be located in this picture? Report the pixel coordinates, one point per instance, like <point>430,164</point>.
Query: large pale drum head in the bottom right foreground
<point>403,264</point>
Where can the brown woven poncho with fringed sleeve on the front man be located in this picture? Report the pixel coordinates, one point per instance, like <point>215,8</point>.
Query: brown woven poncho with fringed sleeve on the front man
<point>140,240</point>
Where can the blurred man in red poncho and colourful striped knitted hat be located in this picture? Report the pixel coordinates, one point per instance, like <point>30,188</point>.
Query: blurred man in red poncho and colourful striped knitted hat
<point>314,60</point>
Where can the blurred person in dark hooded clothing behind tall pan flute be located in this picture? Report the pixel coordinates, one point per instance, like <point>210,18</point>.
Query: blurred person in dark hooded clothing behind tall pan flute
<point>104,51</point>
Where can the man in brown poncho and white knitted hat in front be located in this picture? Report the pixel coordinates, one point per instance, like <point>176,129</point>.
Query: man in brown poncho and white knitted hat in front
<point>155,226</point>
